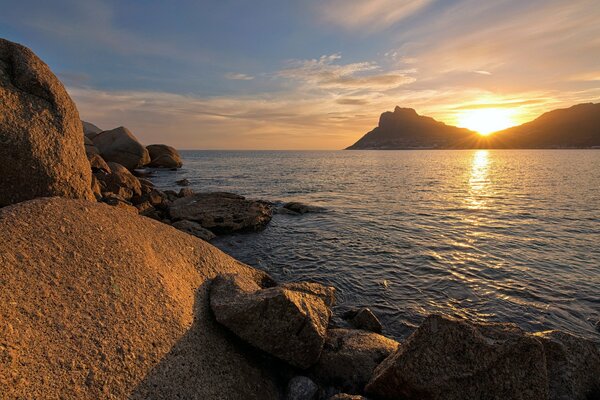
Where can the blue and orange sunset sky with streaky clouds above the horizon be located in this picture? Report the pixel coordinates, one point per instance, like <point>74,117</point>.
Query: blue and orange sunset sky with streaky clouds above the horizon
<point>307,74</point>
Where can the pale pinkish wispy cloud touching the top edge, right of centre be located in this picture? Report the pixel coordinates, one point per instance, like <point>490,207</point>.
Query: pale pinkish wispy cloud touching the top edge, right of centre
<point>372,15</point>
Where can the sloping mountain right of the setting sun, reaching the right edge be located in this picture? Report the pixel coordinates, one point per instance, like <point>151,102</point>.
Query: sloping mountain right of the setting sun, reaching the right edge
<point>576,127</point>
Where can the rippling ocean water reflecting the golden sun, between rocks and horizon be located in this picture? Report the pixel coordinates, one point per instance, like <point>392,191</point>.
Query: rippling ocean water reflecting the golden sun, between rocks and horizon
<point>498,235</point>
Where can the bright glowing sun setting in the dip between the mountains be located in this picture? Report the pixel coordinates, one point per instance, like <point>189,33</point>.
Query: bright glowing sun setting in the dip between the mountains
<point>487,120</point>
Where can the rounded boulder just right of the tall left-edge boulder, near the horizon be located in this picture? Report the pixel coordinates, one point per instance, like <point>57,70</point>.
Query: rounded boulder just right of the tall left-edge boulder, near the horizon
<point>119,145</point>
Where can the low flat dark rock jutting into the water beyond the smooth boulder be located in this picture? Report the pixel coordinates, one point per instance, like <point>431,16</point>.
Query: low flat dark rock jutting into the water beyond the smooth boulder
<point>222,212</point>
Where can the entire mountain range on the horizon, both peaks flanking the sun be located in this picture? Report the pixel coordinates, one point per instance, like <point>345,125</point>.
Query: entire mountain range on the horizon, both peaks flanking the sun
<point>574,127</point>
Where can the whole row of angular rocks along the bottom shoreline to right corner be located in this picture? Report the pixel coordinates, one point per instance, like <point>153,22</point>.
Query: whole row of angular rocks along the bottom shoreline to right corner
<point>444,358</point>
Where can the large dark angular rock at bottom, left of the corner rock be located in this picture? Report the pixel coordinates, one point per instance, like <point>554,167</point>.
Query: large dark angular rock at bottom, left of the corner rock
<point>450,359</point>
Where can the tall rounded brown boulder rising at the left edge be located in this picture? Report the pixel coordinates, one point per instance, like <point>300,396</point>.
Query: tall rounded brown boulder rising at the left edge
<point>41,141</point>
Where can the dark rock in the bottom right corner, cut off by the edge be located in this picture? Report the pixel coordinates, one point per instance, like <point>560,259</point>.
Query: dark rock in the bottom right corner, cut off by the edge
<point>573,366</point>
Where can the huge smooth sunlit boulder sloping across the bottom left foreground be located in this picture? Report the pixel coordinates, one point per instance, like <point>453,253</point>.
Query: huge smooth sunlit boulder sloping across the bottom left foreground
<point>96,303</point>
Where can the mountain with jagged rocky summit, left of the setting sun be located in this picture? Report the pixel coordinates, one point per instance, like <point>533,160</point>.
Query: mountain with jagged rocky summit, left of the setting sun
<point>405,129</point>
